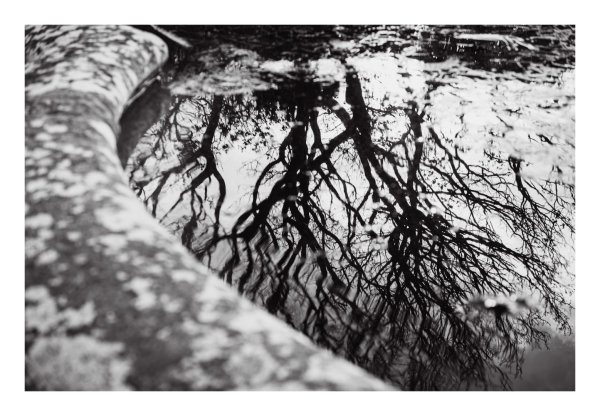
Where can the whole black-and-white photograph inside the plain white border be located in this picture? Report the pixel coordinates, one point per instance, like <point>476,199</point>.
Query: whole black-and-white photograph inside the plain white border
<point>270,207</point>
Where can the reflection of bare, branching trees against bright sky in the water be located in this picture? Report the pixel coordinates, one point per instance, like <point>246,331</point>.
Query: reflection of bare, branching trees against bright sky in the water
<point>367,228</point>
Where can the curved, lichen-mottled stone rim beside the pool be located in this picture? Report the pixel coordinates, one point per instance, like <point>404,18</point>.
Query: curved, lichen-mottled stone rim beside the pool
<point>113,302</point>
